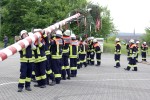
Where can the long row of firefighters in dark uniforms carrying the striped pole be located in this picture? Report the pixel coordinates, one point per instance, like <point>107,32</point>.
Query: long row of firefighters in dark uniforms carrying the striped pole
<point>48,58</point>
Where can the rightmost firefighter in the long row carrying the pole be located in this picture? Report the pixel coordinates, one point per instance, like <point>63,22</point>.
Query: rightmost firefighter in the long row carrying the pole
<point>97,51</point>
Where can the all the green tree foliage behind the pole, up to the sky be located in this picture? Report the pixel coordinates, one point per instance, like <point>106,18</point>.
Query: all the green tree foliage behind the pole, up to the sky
<point>27,14</point>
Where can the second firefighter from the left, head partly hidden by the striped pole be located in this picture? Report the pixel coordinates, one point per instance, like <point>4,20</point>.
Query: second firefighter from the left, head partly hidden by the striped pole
<point>40,61</point>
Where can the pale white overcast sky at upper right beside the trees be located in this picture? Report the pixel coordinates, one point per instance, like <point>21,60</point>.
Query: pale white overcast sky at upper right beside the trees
<point>128,14</point>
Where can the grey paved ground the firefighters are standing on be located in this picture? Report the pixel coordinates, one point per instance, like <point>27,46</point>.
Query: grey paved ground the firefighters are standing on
<point>92,83</point>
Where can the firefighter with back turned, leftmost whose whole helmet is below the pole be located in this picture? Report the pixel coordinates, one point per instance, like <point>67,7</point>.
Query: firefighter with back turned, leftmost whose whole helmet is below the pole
<point>56,55</point>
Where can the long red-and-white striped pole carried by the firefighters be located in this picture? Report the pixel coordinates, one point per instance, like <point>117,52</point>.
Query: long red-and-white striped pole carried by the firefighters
<point>14,48</point>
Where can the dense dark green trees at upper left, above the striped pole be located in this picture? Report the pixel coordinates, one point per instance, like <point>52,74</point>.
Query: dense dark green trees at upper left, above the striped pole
<point>27,14</point>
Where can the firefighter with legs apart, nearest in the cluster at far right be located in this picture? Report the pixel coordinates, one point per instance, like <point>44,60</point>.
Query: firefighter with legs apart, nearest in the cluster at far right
<point>132,56</point>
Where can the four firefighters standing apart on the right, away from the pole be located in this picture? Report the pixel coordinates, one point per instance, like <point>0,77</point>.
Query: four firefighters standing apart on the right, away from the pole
<point>133,51</point>
